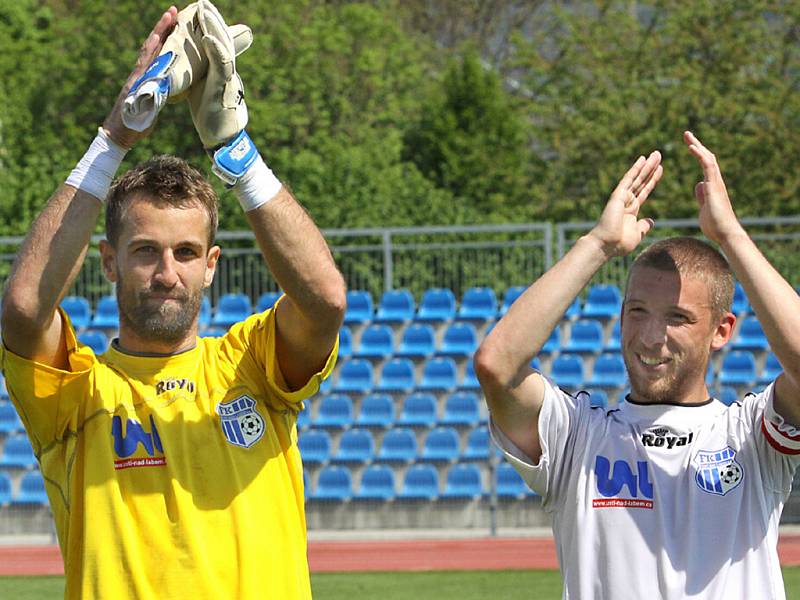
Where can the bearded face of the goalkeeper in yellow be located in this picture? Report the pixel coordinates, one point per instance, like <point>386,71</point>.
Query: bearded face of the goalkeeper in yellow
<point>161,263</point>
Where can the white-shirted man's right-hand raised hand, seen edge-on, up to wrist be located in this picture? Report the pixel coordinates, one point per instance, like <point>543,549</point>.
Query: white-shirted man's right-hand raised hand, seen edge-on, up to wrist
<point>717,218</point>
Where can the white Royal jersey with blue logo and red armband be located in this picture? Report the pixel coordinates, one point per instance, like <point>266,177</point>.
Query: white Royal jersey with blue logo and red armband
<point>663,501</point>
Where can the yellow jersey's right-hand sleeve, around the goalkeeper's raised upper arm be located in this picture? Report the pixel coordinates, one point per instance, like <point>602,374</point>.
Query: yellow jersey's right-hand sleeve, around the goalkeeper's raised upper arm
<point>257,338</point>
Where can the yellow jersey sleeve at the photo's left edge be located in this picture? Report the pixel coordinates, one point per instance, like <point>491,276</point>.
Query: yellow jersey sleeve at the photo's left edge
<point>48,399</point>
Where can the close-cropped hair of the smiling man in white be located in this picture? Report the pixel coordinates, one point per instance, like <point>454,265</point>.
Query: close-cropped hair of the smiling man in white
<point>692,258</point>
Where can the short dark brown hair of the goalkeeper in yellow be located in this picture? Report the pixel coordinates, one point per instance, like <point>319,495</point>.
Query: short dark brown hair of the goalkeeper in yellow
<point>166,181</point>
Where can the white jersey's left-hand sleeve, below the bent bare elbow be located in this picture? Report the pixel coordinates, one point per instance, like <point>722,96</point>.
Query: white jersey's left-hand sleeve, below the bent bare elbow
<point>559,419</point>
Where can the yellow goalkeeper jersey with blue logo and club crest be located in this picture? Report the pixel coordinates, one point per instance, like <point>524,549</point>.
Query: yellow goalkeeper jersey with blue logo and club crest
<point>172,477</point>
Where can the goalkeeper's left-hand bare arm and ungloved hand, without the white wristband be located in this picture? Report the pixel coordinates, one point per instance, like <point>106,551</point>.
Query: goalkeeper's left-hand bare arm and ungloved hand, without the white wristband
<point>54,249</point>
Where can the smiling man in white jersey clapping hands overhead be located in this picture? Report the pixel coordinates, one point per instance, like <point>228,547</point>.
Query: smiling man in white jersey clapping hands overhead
<point>672,495</point>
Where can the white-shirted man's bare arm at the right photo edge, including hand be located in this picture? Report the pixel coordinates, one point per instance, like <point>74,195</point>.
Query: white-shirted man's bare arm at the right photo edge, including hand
<point>775,303</point>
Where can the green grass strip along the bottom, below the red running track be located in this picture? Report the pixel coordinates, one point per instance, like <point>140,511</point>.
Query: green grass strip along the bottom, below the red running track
<point>436,585</point>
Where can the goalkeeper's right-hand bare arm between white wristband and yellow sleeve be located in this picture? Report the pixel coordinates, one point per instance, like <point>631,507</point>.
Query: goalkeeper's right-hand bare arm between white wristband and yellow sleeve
<point>309,318</point>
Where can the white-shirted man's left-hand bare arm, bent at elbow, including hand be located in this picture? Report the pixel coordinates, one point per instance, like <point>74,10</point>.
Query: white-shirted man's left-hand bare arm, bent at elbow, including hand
<point>514,392</point>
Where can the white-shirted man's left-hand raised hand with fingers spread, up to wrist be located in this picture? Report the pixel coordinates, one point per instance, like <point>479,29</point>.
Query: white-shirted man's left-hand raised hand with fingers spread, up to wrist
<point>620,229</point>
